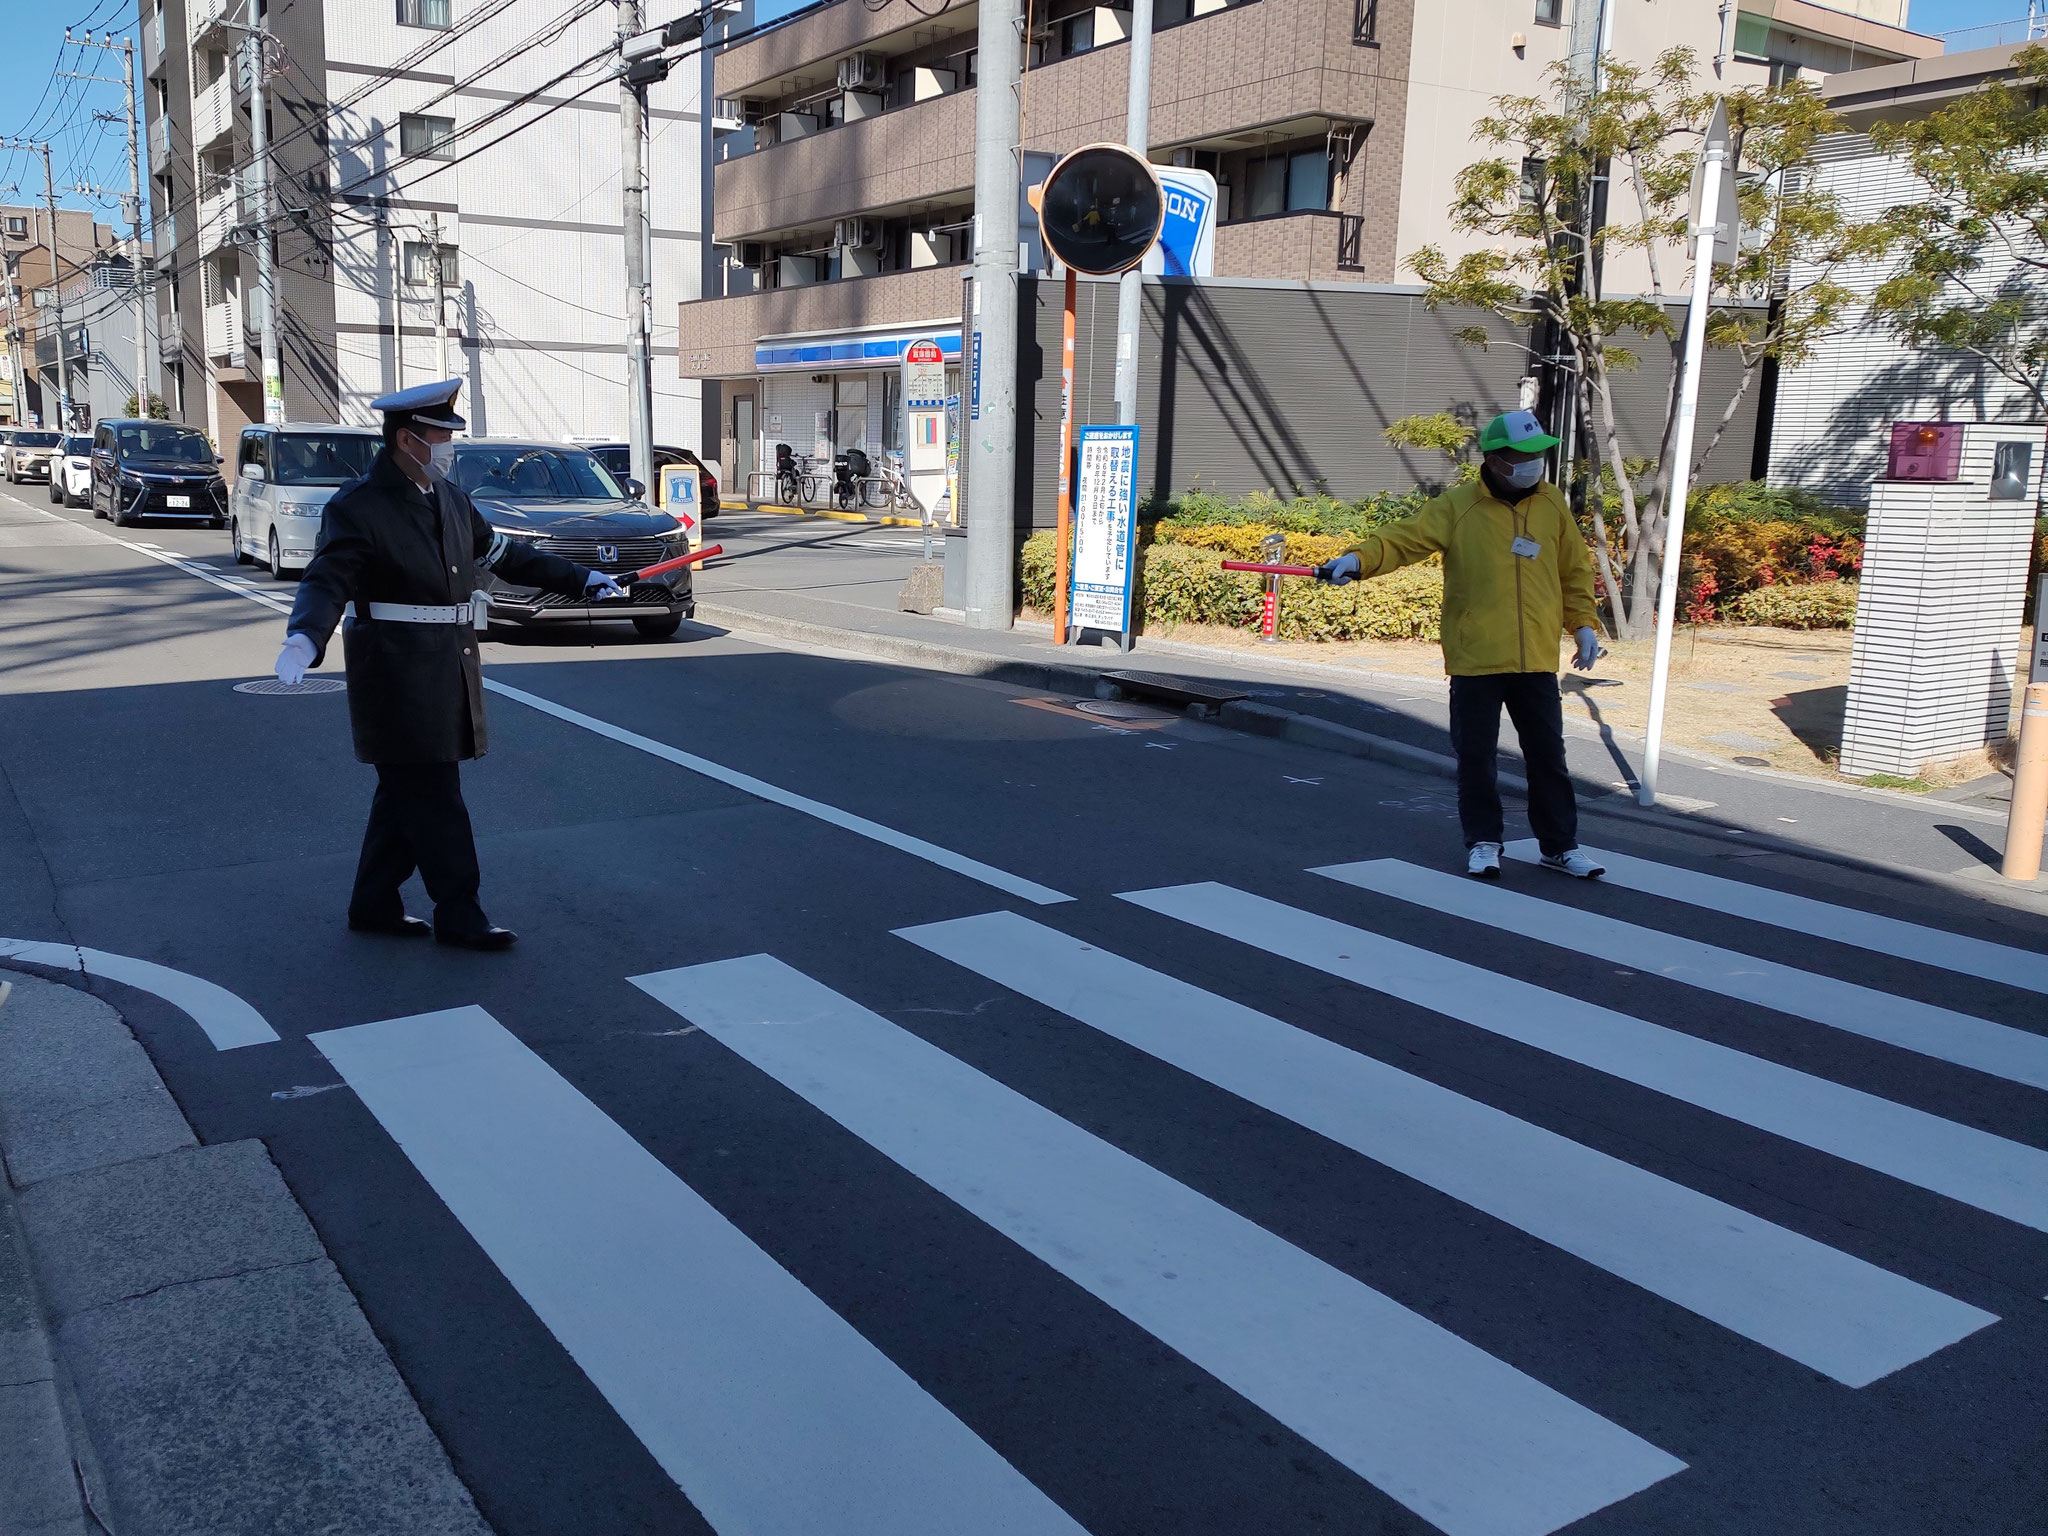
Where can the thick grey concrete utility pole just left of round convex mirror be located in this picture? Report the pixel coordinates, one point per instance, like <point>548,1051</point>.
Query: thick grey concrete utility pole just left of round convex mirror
<point>992,347</point>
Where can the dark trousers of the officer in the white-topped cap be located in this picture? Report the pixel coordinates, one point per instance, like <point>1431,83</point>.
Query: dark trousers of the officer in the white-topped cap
<point>419,822</point>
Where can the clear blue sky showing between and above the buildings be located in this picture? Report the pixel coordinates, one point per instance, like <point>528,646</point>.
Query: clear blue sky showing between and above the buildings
<point>38,105</point>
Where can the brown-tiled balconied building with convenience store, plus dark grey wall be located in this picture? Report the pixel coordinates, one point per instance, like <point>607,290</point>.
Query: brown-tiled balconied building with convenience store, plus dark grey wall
<point>843,191</point>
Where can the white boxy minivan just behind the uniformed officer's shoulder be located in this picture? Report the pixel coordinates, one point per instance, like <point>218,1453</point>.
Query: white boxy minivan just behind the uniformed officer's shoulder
<point>284,480</point>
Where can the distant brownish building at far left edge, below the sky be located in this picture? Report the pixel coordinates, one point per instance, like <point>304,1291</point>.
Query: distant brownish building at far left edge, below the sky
<point>30,302</point>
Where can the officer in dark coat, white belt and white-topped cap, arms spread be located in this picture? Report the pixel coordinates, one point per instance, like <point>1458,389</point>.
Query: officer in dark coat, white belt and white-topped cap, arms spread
<point>407,548</point>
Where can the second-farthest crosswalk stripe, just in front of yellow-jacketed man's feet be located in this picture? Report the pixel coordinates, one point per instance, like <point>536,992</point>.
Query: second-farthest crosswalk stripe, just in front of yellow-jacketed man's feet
<point>1940,1033</point>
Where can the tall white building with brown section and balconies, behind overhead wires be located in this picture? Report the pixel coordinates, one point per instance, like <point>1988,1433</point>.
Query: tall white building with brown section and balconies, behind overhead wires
<point>445,202</point>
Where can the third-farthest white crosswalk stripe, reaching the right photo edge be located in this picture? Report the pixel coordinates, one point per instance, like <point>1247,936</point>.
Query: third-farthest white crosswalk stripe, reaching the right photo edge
<point>1961,1162</point>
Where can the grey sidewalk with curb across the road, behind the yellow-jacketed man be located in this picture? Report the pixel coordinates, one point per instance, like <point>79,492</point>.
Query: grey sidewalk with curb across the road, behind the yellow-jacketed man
<point>1404,720</point>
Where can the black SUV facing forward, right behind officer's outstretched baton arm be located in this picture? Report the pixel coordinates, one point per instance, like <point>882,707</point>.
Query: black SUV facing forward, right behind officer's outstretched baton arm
<point>570,505</point>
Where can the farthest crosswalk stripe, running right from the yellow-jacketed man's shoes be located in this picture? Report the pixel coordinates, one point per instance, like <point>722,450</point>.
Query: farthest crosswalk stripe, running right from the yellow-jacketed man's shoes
<point>1865,931</point>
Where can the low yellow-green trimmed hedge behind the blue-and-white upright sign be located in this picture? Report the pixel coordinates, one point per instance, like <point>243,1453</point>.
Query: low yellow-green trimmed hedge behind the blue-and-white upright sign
<point>1189,587</point>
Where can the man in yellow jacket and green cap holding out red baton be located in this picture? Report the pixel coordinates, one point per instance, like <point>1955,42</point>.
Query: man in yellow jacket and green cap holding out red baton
<point>1517,579</point>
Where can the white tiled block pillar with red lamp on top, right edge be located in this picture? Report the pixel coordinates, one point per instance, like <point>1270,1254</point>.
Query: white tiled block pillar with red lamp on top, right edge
<point>1943,595</point>
